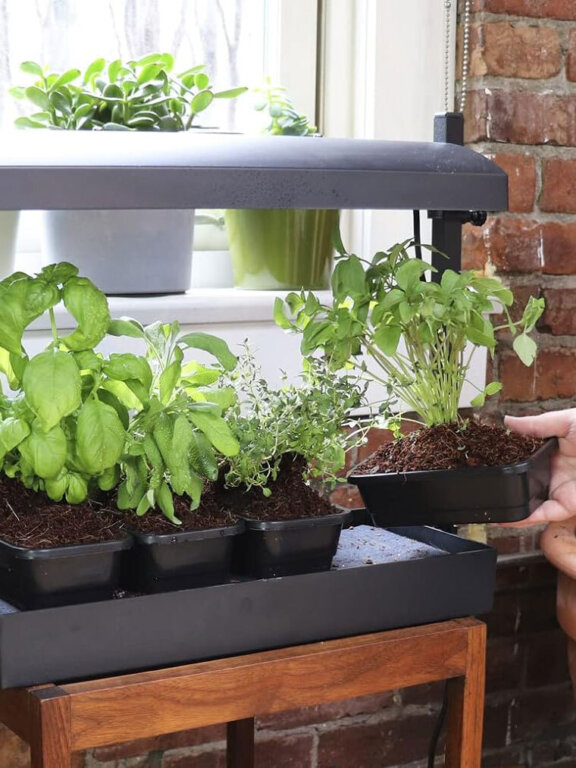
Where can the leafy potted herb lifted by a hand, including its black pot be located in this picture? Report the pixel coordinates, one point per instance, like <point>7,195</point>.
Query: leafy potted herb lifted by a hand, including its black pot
<point>417,338</point>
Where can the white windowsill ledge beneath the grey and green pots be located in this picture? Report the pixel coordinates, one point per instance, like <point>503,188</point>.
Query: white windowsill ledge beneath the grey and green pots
<point>202,306</point>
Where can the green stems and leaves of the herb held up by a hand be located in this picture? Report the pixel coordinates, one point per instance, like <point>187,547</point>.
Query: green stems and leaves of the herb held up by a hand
<point>413,332</point>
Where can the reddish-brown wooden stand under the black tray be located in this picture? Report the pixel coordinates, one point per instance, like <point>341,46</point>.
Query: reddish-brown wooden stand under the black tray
<point>58,720</point>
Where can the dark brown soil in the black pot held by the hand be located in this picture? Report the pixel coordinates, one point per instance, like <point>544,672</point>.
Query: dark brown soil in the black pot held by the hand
<point>450,446</point>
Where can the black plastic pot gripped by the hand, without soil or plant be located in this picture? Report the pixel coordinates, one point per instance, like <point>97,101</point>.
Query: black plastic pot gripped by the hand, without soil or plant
<point>457,496</point>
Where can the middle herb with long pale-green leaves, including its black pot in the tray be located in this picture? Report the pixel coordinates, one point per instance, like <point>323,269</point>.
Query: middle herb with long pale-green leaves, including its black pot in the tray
<point>176,441</point>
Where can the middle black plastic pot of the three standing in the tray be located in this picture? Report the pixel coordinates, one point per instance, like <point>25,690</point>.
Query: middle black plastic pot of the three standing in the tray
<point>180,560</point>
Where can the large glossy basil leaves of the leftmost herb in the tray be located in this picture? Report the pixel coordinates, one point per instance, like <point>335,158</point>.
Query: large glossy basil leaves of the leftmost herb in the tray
<point>62,431</point>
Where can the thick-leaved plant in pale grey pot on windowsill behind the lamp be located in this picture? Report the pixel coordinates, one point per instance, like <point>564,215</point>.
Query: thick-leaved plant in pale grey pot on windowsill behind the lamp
<point>122,251</point>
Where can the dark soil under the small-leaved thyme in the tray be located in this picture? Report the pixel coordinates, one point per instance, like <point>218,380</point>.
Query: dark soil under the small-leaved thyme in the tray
<point>291,498</point>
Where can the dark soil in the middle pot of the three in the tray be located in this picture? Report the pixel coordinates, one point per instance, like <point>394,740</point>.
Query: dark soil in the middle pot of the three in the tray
<point>208,515</point>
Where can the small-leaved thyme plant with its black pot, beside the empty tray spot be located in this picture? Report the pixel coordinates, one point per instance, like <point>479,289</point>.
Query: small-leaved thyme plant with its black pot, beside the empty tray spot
<point>288,437</point>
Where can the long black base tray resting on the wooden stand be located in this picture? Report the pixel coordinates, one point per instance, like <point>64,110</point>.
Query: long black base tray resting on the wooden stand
<point>132,633</point>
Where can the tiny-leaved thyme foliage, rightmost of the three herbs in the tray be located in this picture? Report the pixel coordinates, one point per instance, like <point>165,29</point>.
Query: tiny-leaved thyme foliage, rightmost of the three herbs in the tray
<point>311,420</point>
